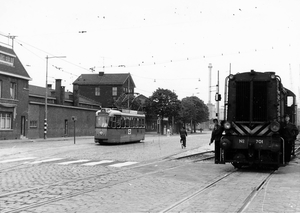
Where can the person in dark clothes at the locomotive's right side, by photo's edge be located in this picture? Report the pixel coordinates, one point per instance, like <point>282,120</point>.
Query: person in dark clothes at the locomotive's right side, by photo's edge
<point>289,133</point>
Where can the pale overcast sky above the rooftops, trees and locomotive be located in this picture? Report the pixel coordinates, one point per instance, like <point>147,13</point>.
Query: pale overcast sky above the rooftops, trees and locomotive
<point>166,44</point>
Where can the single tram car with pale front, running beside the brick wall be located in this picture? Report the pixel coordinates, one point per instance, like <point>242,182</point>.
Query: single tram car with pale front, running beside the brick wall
<point>119,126</point>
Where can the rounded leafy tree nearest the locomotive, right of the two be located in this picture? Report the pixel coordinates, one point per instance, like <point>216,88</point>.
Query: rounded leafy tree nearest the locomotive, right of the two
<point>193,111</point>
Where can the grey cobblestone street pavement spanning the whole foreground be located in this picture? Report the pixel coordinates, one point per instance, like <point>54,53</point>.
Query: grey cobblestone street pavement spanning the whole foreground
<point>154,187</point>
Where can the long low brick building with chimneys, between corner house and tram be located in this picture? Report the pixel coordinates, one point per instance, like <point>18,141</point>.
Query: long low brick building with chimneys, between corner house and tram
<point>60,110</point>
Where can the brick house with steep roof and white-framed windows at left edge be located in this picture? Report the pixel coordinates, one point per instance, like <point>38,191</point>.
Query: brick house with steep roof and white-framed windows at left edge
<point>13,95</point>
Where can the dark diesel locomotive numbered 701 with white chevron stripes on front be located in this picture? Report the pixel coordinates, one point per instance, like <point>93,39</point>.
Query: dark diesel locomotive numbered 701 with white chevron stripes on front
<point>254,107</point>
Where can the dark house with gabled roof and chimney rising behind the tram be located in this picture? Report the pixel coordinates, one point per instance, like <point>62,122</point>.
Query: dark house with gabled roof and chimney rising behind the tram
<point>105,88</point>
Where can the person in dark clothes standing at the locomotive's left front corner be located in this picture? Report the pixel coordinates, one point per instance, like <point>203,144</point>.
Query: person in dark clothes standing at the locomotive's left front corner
<point>216,136</point>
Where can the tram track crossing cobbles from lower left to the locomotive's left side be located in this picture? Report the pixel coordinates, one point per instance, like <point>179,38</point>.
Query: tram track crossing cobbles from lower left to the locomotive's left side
<point>91,183</point>
